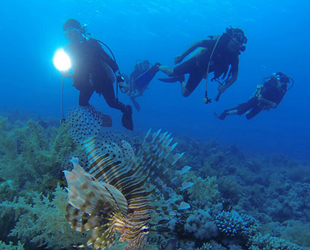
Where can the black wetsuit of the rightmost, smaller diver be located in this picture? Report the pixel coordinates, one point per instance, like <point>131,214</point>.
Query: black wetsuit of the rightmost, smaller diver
<point>269,91</point>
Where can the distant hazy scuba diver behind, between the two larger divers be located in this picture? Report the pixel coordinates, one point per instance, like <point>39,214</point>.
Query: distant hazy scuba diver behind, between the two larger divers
<point>139,80</point>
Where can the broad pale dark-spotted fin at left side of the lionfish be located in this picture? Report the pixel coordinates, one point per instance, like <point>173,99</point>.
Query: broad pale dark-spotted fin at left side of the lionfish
<point>92,206</point>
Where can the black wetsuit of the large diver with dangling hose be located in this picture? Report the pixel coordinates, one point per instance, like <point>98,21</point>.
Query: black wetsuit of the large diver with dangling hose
<point>221,60</point>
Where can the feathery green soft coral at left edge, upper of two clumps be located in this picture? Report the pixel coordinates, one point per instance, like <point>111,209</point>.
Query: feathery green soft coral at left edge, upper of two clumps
<point>28,151</point>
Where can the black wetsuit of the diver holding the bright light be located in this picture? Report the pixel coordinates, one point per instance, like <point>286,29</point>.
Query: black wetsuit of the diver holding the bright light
<point>93,71</point>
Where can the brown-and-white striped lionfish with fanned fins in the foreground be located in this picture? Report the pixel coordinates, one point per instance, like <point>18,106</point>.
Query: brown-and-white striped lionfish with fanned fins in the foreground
<point>117,191</point>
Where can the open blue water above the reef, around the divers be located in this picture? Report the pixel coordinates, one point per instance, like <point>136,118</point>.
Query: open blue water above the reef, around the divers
<point>278,40</point>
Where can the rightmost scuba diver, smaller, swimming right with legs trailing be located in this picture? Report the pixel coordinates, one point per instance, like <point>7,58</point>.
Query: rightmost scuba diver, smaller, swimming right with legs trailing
<point>267,96</point>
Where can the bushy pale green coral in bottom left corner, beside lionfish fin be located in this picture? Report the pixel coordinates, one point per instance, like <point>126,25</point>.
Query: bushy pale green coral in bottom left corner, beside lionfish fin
<point>41,220</point>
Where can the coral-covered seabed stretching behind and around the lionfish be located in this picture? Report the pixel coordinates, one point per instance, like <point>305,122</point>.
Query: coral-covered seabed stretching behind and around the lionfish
<point>232,190</point>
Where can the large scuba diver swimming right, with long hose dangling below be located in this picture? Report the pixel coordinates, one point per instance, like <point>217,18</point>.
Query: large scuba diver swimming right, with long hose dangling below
<point>215,55</point>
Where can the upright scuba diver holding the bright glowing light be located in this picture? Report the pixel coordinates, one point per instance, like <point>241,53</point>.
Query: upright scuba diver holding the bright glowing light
<point>94,70</point>
